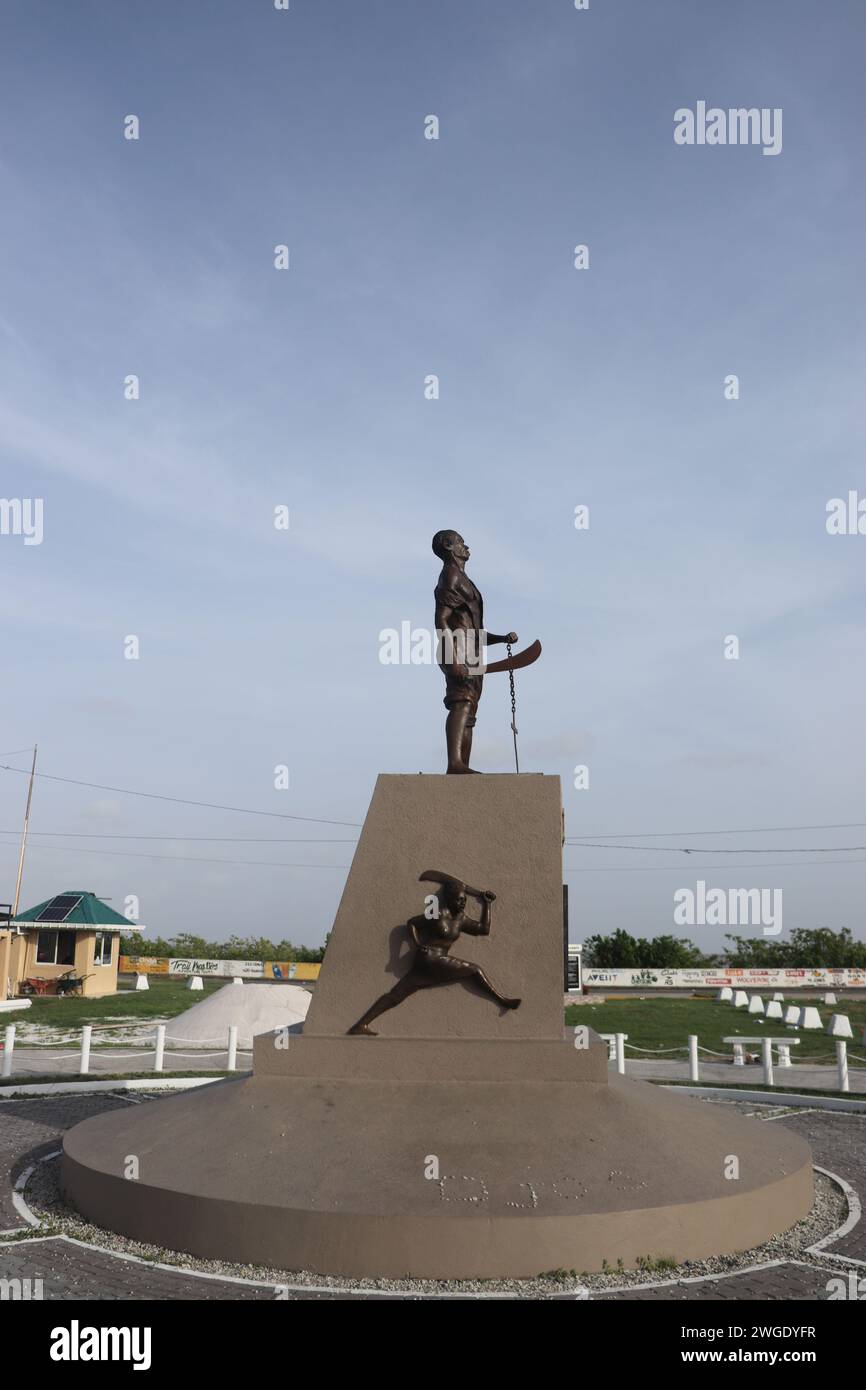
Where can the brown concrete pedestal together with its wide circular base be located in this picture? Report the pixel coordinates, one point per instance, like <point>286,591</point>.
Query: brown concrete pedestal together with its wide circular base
<point>465,1142</point>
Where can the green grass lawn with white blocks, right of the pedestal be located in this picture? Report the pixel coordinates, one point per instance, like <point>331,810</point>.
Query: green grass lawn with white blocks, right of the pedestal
<point>657,1024</point>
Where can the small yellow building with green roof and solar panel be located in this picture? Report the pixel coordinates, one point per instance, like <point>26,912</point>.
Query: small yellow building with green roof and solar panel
<point>67,945</point>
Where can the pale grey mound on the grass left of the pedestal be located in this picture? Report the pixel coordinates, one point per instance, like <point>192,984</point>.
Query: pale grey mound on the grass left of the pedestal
<point>255,1008</point>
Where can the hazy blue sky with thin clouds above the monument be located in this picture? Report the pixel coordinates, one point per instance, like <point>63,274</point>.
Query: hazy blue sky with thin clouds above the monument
<point>558,387</point>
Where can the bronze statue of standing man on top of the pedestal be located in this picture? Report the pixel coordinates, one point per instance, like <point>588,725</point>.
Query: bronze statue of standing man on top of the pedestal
<point>461,630</point>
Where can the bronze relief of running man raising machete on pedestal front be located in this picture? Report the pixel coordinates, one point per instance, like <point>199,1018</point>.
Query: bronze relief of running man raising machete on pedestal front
<point>433,940</point>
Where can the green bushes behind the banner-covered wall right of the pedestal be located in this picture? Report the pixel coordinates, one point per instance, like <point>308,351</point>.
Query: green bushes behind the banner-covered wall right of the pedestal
<point>804,950</point>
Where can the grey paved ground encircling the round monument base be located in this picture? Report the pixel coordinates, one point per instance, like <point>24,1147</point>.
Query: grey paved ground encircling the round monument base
<point>77,1273</point>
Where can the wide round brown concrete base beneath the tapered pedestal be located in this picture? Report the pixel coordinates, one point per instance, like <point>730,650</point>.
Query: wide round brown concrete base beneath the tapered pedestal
<point>441,1181</point>
